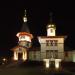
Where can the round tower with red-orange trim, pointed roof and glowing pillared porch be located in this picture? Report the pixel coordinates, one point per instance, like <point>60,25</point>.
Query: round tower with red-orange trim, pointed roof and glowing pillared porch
<point>24,43</point>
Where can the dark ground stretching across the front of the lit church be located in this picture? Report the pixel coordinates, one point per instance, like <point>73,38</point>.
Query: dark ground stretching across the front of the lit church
<point>31,69</point>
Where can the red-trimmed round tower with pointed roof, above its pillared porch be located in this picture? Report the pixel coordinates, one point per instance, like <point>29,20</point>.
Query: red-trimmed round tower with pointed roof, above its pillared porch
<point>24,35</point>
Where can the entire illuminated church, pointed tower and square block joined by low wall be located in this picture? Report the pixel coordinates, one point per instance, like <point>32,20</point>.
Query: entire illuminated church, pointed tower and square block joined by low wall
<point>51,45</point>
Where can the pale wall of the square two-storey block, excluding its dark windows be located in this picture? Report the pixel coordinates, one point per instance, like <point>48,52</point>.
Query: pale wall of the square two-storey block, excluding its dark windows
<point>59,47</point>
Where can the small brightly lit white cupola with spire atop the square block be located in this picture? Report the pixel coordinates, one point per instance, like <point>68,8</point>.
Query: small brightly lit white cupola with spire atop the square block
<point>51,29</point>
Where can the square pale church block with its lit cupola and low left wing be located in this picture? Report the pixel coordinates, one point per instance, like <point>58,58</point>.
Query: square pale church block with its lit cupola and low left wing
<point>51,46</point>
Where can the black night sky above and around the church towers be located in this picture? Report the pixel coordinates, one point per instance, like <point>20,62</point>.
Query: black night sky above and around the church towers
<point>11,13</point>
